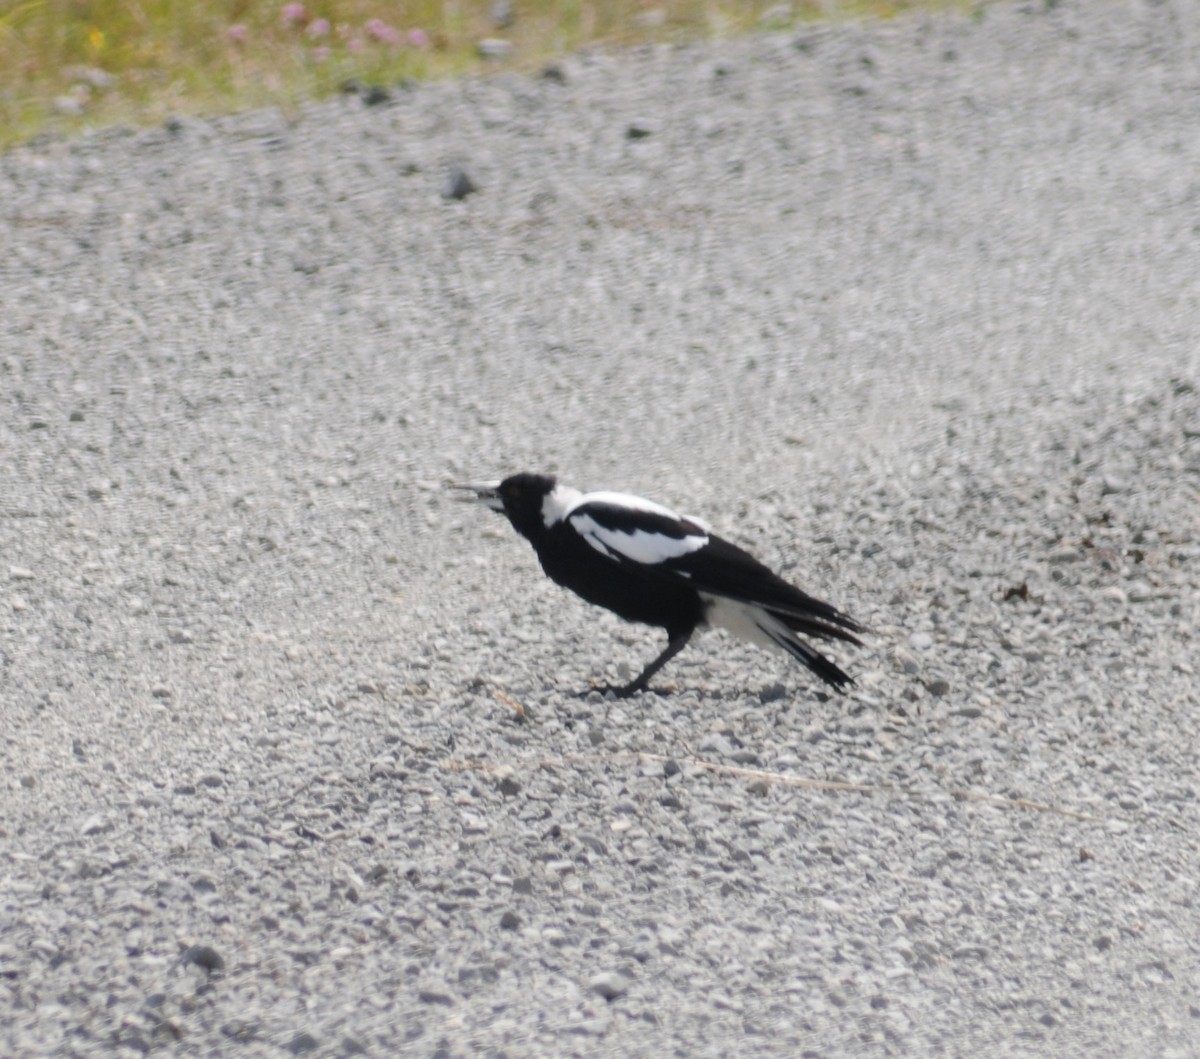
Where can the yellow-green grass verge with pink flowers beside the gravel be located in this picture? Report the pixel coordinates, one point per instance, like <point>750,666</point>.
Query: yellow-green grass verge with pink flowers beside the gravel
<point>68,65</point>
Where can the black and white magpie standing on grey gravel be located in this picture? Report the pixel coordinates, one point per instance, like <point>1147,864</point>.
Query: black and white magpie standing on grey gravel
<point>649,565</point>
